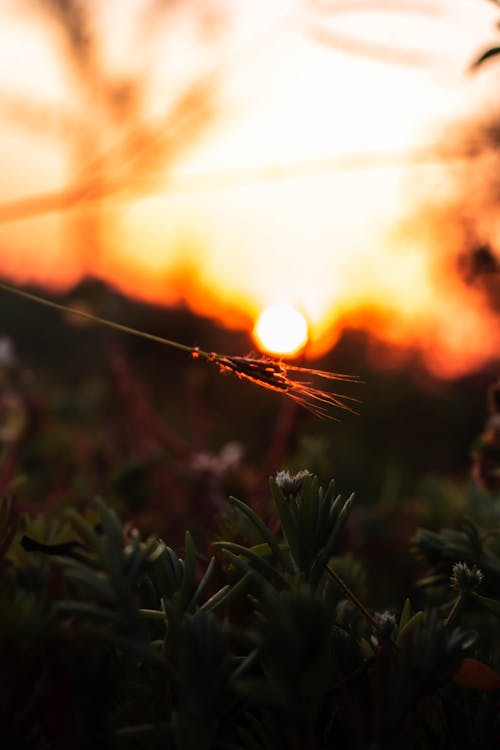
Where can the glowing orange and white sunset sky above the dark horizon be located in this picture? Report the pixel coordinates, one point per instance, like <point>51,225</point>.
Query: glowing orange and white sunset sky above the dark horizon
<point>316,162</point>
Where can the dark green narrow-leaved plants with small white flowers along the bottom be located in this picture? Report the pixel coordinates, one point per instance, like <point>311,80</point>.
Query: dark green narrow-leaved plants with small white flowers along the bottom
<point>263,639</point>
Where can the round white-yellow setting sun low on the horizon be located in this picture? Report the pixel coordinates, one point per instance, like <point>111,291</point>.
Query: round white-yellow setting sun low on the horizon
<point>281,329</point>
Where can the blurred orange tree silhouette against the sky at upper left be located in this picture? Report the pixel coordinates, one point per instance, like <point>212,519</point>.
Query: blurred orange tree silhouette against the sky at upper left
<point>112,138</point>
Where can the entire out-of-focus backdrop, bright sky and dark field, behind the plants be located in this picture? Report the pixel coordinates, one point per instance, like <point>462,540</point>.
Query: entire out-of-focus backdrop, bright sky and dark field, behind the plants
<point>182,167</point>
